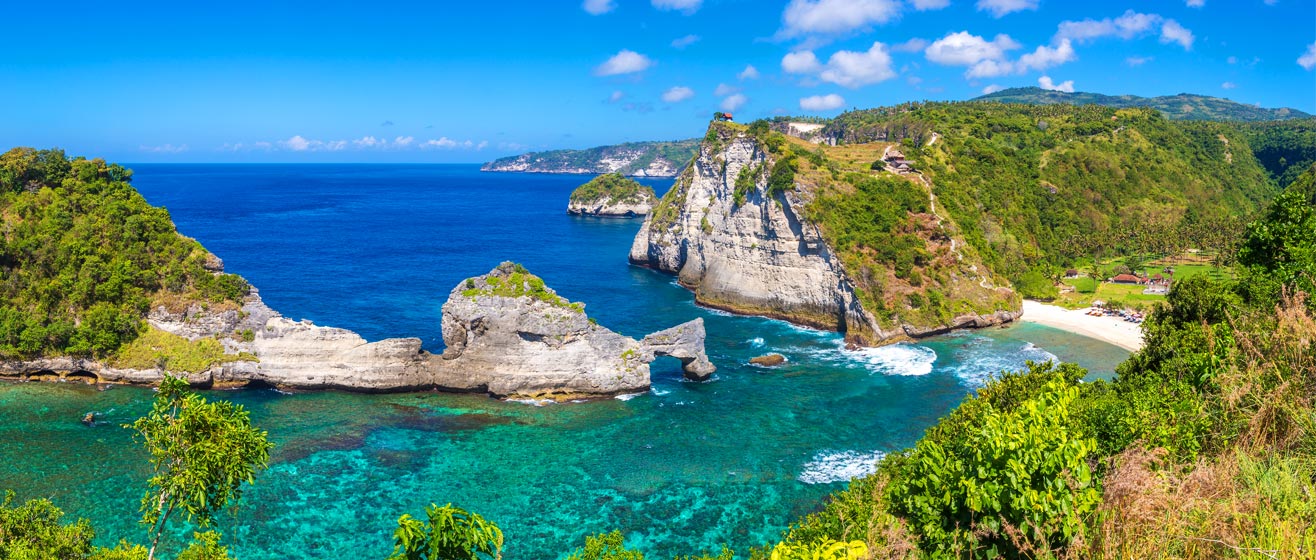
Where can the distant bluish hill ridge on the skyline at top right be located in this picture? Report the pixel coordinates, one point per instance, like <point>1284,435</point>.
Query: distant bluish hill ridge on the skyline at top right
<point>1184,107</point>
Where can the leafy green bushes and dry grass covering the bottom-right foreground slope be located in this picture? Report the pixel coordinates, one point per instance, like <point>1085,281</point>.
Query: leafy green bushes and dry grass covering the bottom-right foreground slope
<point>1205,446</point>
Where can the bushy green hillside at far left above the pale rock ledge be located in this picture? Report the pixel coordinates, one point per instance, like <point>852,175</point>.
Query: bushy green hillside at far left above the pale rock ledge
<point>84,258</point>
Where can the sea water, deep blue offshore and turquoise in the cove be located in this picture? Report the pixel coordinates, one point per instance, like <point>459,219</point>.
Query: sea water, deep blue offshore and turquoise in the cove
<point>684,469</point>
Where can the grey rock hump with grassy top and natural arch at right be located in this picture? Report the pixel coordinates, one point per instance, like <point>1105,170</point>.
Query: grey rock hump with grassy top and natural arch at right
<point>511,336</point>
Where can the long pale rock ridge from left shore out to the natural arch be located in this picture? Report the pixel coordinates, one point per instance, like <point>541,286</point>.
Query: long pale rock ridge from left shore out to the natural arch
<point>507,336</point>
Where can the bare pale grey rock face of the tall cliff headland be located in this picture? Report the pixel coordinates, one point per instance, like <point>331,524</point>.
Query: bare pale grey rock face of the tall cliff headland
<point>757,257</point>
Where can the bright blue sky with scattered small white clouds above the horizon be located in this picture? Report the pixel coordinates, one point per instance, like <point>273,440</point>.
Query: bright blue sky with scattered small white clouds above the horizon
<point>469,82</point>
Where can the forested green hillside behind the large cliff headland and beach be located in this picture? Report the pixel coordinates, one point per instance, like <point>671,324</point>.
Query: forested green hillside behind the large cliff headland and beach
<point>1039,187</point>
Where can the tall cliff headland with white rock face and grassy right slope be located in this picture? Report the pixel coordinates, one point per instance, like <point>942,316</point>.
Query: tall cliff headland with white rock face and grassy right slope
<point>757,225</point>
